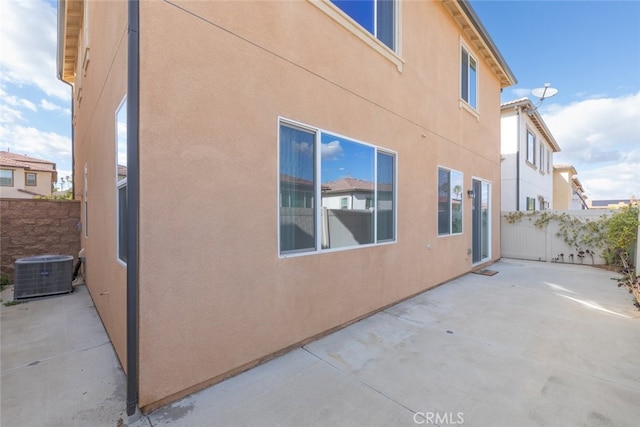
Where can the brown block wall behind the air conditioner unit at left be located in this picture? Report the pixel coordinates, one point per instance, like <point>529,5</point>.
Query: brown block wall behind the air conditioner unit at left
<point>31,227</point>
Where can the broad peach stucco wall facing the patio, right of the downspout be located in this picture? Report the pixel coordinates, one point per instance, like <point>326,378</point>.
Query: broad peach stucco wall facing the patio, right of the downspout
<point>214,295</point>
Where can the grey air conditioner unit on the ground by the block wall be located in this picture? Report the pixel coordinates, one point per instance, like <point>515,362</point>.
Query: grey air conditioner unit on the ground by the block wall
<point>42,275</point>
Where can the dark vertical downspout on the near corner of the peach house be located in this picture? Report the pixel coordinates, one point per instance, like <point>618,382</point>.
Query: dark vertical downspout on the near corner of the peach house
<point>133,181</point>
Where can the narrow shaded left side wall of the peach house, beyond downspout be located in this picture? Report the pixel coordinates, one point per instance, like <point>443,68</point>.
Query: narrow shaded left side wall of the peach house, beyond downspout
<point>102,86</point>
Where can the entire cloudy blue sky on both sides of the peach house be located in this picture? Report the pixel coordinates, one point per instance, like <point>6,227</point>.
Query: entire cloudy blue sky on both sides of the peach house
<point>588,50</point>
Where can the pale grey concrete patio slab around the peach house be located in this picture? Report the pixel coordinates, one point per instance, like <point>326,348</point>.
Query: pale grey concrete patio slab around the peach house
<point>537,344</point>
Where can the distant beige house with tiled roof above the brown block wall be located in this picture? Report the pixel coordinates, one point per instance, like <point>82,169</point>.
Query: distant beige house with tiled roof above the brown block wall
<point>24,177</point>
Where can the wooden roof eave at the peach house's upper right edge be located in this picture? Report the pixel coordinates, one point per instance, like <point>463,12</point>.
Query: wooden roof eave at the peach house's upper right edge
<point>469,22</point>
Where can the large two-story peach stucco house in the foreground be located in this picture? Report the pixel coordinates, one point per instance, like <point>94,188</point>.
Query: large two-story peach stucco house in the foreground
<point>211,254</point>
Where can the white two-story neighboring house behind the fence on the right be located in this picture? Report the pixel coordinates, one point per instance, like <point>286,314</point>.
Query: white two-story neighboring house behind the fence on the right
<point>527,148</point>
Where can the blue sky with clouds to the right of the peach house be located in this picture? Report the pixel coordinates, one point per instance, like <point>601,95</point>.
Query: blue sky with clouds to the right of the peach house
<point>590,52</point>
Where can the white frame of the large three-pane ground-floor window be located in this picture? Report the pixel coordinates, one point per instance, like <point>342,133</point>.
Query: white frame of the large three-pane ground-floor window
<point>318,192</point>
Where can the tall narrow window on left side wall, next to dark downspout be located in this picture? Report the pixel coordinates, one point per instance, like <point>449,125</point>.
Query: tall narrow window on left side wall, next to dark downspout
<point>121,181</point>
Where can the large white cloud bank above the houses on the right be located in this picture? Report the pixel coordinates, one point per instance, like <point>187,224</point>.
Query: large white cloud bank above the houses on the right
<point>601,139</point>
